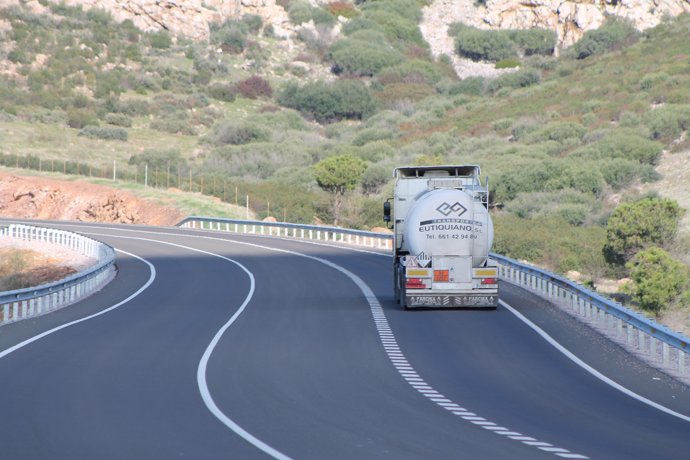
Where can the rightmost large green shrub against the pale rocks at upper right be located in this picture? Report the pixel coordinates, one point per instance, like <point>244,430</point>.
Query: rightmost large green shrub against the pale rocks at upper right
<point>615,33</point>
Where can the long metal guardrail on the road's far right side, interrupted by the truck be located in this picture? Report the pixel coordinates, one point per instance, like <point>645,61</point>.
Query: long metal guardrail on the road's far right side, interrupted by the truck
<point>652,342</point>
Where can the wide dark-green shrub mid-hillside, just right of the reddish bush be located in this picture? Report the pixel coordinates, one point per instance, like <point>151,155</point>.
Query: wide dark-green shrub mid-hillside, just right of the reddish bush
<point>328,102</point>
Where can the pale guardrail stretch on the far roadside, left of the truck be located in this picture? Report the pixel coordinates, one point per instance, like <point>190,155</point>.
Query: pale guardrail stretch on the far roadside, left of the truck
<point>286,230</point>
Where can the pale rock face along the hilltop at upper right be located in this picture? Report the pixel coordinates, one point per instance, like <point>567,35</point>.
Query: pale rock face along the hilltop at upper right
<point>569,19</point>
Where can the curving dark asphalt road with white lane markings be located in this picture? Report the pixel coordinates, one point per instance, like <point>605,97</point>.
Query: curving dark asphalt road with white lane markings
<point>213,346</point>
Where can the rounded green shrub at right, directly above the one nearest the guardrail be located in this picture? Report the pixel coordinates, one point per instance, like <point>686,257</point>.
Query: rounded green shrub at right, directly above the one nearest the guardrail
<point>635,226</point>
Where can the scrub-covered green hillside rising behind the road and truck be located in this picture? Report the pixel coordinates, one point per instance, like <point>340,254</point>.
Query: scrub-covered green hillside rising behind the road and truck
<point>565,140</point>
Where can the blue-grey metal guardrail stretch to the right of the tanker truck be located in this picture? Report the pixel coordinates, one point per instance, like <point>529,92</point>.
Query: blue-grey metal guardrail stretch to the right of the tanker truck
<point>653,343</point>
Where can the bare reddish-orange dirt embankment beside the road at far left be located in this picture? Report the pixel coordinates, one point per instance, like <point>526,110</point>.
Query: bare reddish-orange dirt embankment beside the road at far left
<point>41,198</point>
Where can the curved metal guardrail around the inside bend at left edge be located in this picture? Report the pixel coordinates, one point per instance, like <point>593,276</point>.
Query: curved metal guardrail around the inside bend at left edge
<point>34,301</point>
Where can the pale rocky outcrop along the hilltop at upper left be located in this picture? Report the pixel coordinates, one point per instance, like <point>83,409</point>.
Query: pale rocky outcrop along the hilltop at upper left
<point>190,18</point>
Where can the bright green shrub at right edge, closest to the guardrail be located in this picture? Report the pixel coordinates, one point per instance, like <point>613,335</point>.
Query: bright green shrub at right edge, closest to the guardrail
<point>658,280</point>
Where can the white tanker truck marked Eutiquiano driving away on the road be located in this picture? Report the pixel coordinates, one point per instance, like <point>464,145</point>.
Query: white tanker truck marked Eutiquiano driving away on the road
<point>442,238</point>
